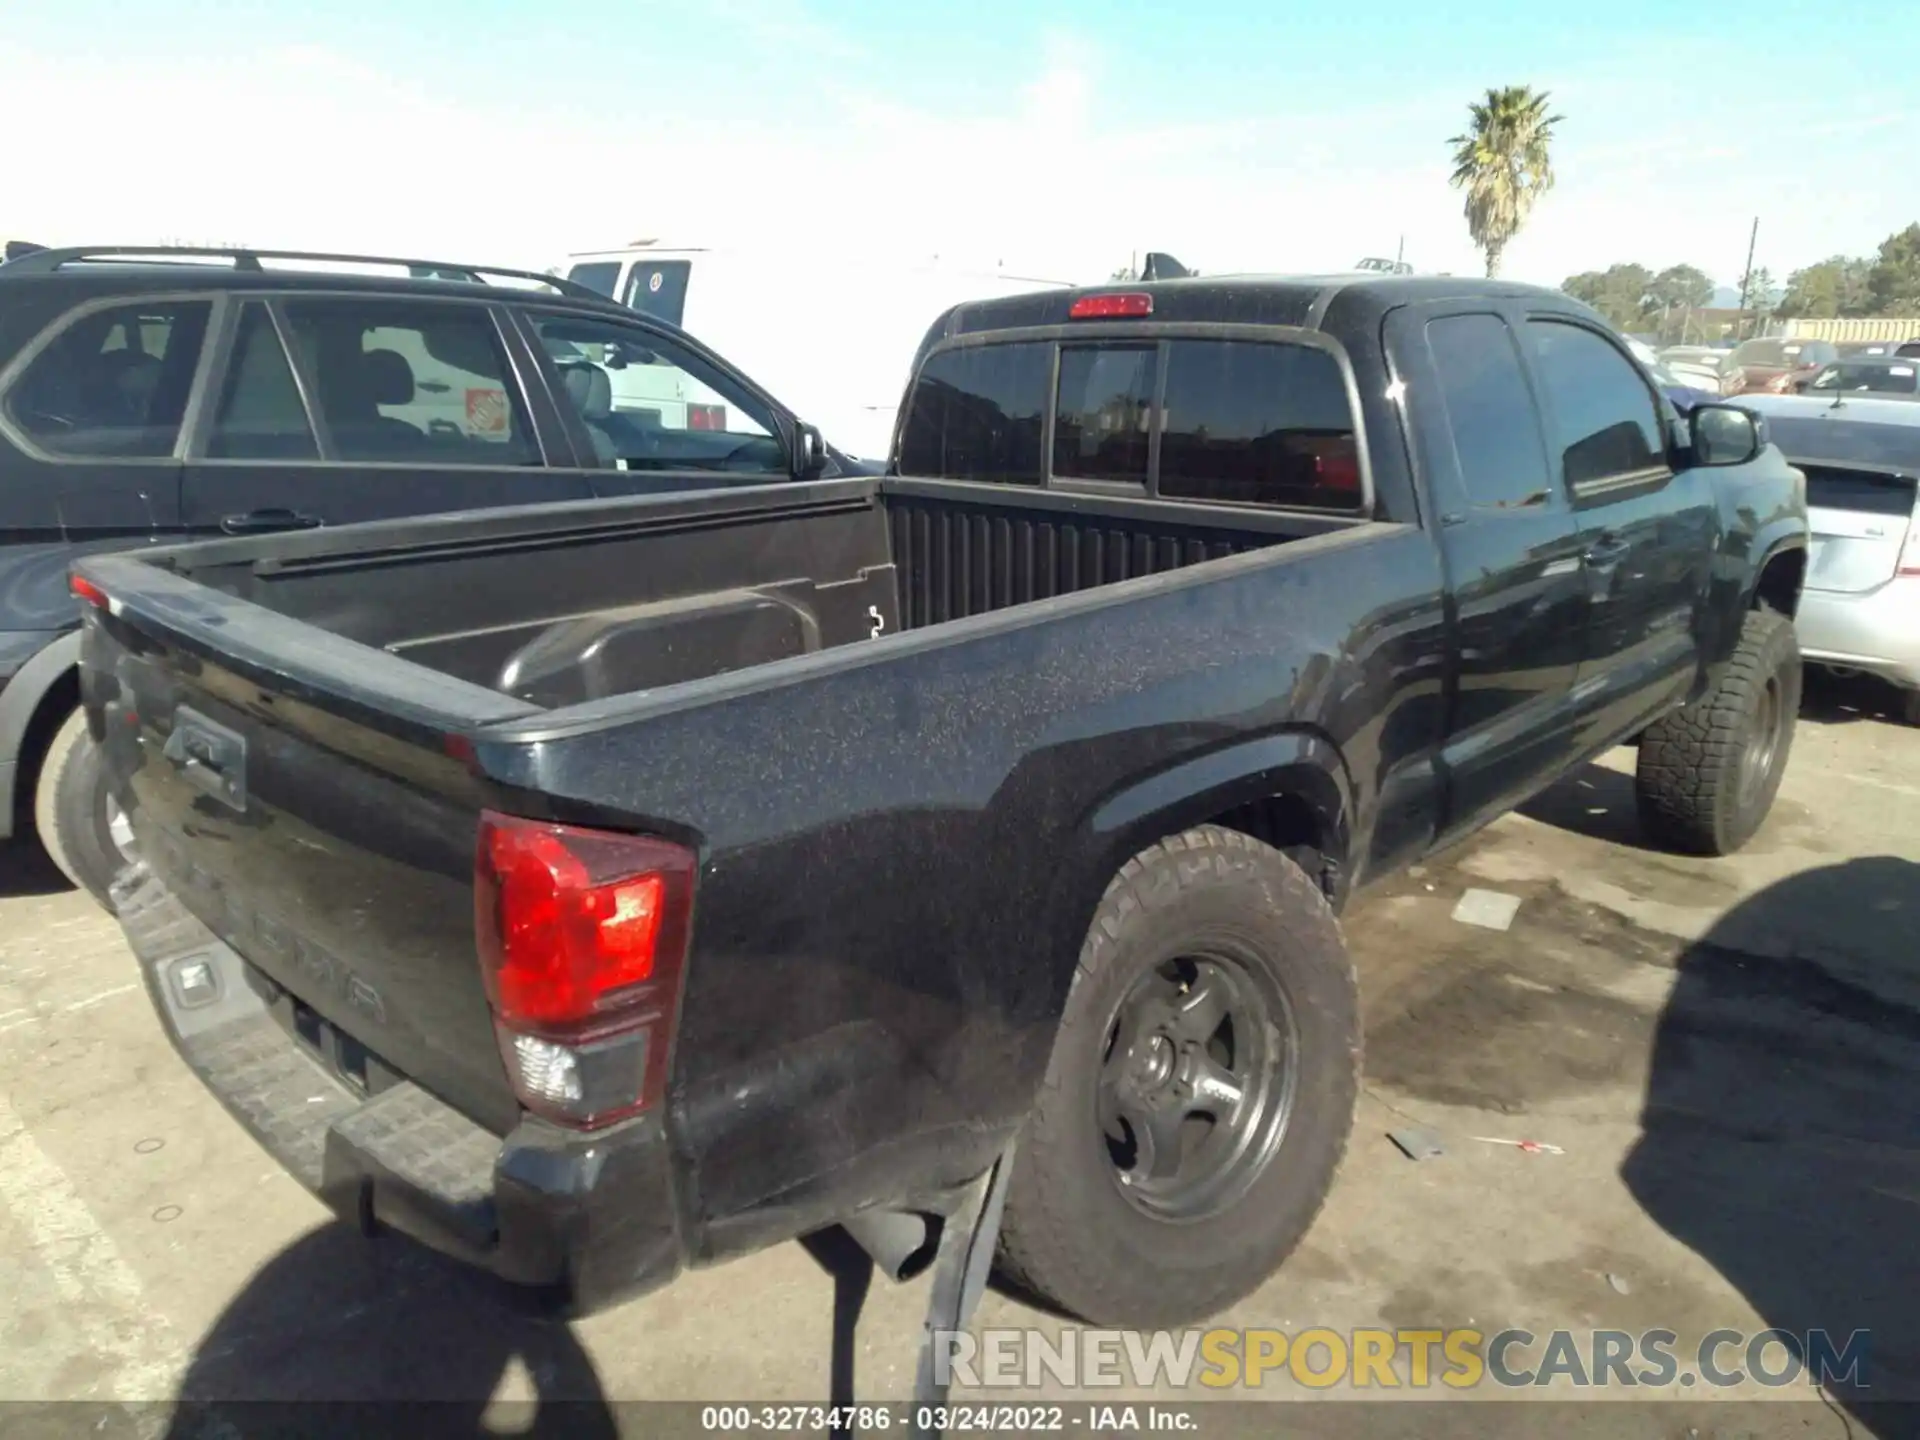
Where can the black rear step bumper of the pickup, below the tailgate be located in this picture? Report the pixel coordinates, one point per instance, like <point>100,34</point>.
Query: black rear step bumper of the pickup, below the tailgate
<point>588,1220</point>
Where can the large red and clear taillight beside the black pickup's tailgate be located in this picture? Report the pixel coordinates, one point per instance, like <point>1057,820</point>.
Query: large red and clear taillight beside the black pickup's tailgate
<point>583,936</point>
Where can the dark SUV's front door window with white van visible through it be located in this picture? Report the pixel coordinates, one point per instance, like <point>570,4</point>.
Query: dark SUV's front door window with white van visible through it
<point>650,406</point>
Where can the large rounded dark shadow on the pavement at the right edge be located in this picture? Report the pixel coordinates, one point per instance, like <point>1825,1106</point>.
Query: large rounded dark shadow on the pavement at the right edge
<point>1781,1138</point>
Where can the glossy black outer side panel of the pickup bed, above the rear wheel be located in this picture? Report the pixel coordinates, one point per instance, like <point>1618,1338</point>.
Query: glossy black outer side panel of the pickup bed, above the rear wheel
<point>905,840</point>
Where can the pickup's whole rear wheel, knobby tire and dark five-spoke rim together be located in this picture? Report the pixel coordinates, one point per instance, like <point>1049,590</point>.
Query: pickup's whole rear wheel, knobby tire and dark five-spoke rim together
<point>1201,1090</point>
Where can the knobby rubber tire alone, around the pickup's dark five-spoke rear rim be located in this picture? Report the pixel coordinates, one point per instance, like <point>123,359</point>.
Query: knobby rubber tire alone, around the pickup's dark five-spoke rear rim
<point>1070,1236</point>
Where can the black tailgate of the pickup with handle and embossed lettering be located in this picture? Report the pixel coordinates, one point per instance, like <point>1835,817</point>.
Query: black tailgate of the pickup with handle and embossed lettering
<point>312,821</point>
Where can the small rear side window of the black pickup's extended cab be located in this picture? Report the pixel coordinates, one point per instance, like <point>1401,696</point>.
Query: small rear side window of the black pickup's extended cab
<point>1491,412</point>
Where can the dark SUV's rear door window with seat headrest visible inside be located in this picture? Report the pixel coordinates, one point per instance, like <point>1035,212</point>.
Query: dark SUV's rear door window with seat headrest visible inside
<point>412,383</point>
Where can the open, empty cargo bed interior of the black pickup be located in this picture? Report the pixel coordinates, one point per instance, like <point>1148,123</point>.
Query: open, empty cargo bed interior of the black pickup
<point>569,604</point>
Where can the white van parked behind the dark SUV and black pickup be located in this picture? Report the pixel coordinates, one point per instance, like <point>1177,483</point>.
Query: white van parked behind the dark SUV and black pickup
<point>830,337</point>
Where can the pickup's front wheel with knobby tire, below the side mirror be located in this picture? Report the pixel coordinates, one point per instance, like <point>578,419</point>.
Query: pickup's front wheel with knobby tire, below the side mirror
<point>1710,773</point>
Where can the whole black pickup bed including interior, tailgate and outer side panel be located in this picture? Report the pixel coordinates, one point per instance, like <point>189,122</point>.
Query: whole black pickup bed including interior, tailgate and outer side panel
<point>308,727</point>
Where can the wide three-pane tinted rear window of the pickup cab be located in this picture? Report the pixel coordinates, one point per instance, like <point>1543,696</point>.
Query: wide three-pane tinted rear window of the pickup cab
<point>1178,418</point>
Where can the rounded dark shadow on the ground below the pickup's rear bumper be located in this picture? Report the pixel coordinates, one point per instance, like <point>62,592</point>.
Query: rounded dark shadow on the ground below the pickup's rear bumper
<point>389,1339</point>
